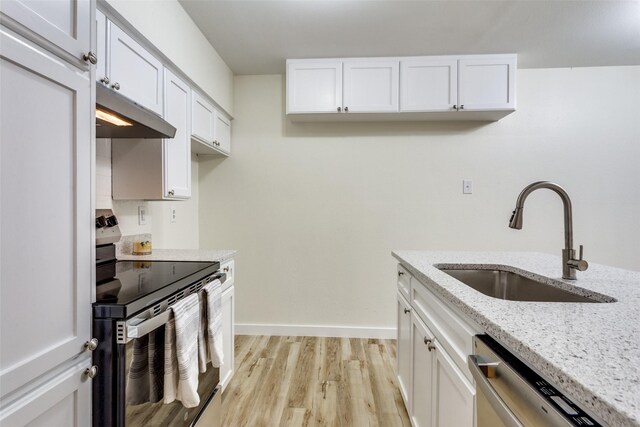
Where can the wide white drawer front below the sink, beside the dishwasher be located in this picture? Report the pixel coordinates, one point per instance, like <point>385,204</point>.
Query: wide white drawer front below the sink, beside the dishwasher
<point>452,331</point>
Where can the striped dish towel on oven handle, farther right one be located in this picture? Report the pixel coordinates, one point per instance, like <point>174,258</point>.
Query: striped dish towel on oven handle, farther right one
<point>212,343</point>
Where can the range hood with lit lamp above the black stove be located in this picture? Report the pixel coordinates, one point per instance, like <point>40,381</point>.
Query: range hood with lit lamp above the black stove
<point>119,117</point>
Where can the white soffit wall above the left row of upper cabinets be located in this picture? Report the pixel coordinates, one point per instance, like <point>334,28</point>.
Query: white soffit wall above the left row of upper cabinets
<point>168,27</point>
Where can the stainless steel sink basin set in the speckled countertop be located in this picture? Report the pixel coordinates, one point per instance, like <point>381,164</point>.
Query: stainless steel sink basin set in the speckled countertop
<point>513,287</point>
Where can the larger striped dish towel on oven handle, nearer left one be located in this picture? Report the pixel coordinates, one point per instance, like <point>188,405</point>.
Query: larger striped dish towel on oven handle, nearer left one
<point>181,353</point>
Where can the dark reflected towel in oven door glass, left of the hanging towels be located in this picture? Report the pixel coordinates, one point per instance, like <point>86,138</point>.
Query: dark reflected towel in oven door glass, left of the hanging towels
<point>145,382</point>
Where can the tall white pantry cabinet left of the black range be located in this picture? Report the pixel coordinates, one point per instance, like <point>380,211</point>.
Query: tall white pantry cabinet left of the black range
<point>47,101</point>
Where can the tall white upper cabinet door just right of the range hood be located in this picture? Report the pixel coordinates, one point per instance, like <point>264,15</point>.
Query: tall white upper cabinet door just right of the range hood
<point>176,152</point>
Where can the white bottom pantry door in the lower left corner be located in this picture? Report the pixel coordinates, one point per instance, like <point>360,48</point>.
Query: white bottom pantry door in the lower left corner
<point>64,400</point>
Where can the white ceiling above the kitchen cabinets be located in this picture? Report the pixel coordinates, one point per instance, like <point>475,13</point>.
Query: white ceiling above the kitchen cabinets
<point>256,37</point>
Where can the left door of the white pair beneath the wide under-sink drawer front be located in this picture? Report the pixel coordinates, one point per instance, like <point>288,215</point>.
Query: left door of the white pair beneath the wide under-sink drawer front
<point>422,373</point>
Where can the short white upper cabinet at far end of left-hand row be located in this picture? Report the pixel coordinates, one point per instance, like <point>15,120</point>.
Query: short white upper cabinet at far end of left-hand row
<point>211,130</point>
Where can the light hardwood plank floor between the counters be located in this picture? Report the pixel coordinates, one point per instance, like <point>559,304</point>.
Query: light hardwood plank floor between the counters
<point>308,381</point>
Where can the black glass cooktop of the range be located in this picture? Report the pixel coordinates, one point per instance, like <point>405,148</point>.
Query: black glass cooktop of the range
<point>140,284</point>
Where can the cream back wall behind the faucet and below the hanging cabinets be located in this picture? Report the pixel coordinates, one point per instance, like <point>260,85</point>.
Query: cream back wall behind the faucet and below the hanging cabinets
<point>315,209</point>
